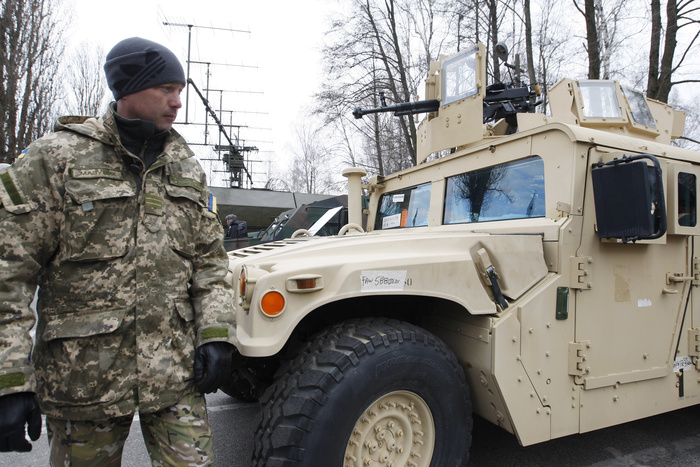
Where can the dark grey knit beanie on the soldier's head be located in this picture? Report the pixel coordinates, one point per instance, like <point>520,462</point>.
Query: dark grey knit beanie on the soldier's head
<point>136,64</point>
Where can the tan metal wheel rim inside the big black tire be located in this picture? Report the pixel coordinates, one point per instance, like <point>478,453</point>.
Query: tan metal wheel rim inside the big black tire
<point>396,430</point>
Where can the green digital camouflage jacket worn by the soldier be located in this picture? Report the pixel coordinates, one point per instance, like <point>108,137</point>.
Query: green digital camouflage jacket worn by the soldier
<point>130,266</point>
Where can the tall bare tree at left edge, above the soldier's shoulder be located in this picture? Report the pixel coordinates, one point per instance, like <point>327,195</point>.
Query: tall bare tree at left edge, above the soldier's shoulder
<point>30,51</point>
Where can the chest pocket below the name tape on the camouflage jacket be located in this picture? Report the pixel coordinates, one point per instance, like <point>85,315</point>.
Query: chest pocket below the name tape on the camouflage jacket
<point>100,210</point>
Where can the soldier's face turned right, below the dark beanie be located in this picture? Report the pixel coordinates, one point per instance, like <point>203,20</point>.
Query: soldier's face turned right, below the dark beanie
<point>158,104</point>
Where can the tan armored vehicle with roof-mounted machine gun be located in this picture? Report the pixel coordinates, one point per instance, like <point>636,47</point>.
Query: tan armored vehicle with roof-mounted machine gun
<point>542,274</point>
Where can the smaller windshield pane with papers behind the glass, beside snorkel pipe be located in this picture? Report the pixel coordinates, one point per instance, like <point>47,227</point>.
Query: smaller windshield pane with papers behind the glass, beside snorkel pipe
<point>404,208</point>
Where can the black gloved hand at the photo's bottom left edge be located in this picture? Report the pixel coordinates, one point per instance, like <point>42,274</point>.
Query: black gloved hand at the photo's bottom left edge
<point>16,410</point>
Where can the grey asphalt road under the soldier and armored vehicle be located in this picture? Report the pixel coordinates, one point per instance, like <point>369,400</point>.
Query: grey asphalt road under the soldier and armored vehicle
<point>669,440</point>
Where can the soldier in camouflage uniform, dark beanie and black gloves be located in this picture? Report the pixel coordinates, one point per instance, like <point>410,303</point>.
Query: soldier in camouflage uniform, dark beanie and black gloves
<point>111,218</point>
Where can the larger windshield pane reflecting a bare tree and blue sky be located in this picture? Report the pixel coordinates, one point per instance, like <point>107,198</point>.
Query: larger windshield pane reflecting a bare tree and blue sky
<point>508,191</point>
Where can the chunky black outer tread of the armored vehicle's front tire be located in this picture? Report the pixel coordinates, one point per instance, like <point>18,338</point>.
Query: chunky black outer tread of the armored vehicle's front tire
<point>303,384</point>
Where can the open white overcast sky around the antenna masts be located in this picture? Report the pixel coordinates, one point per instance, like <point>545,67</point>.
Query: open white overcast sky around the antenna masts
<point>267,73</point>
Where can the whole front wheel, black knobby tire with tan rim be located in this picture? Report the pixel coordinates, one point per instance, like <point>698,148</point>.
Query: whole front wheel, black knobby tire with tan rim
<point>371,390</point>
